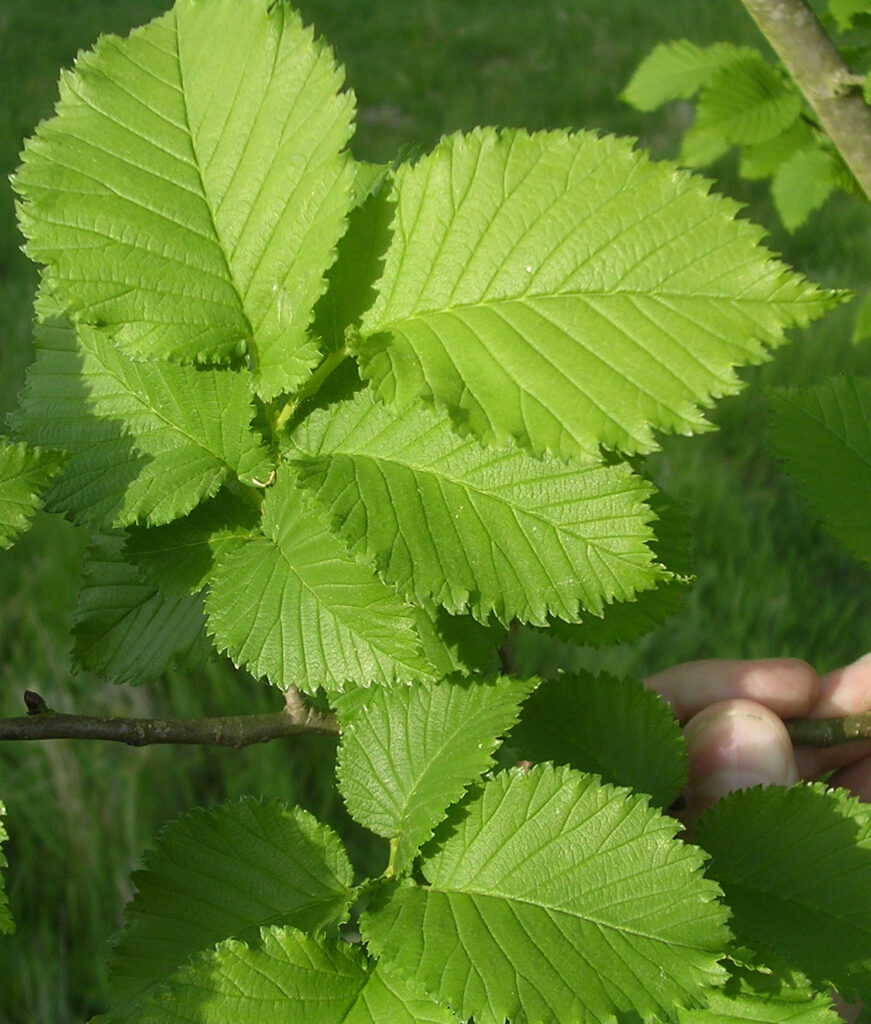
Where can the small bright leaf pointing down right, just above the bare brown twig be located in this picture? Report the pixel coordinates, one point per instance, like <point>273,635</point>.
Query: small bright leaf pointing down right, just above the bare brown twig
<point>294,606</point>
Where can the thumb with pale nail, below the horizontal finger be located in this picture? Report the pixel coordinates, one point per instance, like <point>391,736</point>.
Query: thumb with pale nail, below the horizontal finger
<point>734,745</point>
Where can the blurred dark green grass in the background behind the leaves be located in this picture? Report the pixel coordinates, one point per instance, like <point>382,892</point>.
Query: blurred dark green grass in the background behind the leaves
<point>770,583</point>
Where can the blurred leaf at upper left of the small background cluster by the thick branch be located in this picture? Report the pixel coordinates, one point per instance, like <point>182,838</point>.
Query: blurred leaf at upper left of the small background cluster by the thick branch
<point>677,71</point>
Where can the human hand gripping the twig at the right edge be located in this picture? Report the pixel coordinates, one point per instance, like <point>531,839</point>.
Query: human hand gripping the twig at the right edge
<point>733,712</point>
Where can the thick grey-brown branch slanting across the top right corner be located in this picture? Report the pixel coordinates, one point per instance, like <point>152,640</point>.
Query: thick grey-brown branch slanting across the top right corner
<point>819,71</point>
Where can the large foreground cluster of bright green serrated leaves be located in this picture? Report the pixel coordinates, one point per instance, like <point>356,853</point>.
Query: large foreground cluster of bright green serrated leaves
<point>350,424</point>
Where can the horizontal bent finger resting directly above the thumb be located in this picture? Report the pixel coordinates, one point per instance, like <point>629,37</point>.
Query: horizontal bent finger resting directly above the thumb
<point>787,686</point>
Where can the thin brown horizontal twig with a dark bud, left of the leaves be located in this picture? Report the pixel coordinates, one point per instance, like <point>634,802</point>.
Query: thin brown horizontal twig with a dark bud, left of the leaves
<point>298,718</point>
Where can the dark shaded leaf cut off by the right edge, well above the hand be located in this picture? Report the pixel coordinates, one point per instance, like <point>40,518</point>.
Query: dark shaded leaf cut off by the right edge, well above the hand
<point>823,436</point>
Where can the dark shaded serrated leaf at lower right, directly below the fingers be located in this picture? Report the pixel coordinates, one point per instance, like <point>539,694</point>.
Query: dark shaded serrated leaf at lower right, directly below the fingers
<point>800,881</point>
